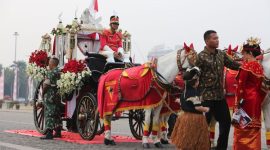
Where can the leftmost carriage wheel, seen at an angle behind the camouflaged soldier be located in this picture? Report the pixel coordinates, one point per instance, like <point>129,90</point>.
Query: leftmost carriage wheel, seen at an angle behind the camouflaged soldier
<point>38,110</point>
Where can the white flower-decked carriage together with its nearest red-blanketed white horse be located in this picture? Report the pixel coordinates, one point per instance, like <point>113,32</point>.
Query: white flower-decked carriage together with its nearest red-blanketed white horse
<point>146,88</point>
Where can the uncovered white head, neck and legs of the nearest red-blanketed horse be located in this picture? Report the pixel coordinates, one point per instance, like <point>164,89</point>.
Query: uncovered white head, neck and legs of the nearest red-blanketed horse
<point>168,66</point>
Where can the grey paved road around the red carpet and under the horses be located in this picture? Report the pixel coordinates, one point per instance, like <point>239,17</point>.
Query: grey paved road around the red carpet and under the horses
<point>23,119</point>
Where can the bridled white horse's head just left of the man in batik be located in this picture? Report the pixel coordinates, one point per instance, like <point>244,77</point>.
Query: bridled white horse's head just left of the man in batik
<point>186,57</point>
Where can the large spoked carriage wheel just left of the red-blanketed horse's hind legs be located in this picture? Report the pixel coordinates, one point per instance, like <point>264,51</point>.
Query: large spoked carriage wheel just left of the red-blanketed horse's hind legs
<point>87,118</point>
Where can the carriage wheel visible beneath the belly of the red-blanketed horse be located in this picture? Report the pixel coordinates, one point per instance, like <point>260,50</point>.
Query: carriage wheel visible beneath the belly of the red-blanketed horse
<point>136,123</point>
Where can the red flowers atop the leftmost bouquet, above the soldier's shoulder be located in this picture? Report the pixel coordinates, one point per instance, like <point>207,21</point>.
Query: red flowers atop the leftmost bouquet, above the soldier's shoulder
<point>39,57</point>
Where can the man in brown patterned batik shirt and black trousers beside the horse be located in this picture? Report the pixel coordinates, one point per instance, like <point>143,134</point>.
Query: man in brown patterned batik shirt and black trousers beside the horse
<point>212,61</point>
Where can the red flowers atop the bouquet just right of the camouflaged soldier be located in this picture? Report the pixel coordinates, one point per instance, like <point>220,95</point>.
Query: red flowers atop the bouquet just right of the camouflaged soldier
<point>74,66</point>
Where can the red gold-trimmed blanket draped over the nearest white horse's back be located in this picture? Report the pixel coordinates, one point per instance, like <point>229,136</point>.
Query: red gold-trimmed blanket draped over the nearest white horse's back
<point>135,86</point>
